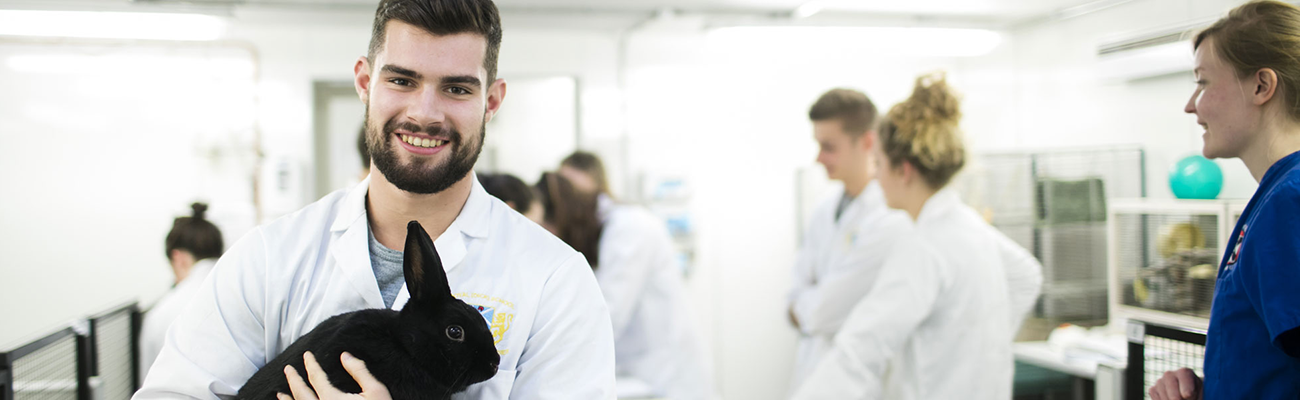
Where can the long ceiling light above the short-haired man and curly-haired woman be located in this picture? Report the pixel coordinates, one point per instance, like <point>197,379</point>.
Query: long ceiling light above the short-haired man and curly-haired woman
<point>926,42</point>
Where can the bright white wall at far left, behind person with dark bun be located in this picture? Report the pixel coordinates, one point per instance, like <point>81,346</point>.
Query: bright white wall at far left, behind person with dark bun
<point>103,146</point>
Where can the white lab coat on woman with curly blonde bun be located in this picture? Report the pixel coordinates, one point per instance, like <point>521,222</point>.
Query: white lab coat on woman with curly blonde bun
<point>939,321</point>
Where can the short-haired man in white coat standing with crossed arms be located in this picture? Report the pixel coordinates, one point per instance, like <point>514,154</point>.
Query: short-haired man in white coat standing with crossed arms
<point>848,236</point>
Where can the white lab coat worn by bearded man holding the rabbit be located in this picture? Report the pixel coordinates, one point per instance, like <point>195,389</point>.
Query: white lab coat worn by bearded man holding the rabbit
<point>287,277</point>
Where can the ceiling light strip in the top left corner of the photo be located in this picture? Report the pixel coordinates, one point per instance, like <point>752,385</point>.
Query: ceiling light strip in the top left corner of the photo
<point>111,25</point>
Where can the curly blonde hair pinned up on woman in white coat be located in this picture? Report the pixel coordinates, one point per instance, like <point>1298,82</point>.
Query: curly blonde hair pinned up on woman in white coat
<point>924,132</point>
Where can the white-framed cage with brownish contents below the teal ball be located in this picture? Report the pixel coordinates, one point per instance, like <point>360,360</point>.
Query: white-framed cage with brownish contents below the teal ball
<point>1168,260</point>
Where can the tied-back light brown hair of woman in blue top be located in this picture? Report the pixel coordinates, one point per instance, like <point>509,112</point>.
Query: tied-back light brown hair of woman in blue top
<point>1258,36</point>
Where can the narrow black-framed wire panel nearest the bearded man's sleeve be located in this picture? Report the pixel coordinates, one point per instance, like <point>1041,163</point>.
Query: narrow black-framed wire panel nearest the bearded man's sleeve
<point>115,363</point>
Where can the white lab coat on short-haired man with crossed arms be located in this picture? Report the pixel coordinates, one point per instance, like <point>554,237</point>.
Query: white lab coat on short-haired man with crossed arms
<point>837,266</point>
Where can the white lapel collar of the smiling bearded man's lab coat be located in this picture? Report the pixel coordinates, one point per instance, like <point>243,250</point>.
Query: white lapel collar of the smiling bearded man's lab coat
<point>353,247</point>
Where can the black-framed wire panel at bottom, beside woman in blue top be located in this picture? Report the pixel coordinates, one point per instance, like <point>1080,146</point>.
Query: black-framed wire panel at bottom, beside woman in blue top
<point>1158,349</point>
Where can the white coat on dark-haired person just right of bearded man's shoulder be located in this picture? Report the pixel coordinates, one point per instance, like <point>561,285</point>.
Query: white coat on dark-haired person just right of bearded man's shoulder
<point>655,338</point>
